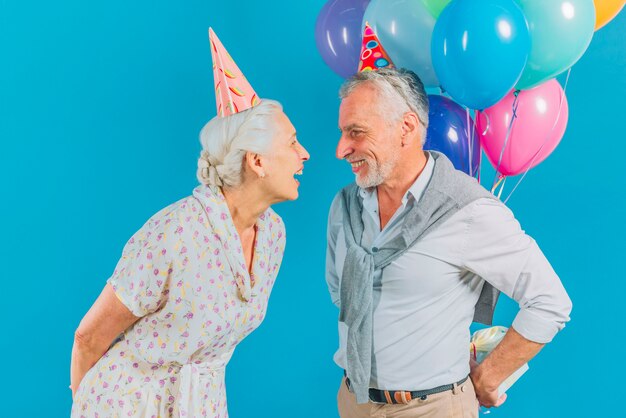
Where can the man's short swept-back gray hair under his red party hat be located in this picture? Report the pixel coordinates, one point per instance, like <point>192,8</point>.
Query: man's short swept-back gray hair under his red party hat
<point>399,91</point>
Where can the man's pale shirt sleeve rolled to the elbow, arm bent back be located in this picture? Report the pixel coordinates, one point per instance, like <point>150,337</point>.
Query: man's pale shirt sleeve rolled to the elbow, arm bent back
<point>500,252</point>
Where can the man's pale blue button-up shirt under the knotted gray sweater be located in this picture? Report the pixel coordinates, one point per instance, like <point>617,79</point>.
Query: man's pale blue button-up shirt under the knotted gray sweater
<point>424,300</point>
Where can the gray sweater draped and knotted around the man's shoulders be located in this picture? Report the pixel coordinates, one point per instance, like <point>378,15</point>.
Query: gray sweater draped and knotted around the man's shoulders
<point>447,191</point>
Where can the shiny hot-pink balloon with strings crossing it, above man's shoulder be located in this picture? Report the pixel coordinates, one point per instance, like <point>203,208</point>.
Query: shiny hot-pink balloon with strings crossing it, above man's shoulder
<point>542,114</point>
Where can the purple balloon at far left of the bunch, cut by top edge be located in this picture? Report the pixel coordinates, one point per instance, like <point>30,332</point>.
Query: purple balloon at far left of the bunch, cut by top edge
<point>338,34</point>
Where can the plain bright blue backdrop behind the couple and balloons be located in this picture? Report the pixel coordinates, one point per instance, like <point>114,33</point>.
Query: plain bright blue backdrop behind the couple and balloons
<point>101,104</point>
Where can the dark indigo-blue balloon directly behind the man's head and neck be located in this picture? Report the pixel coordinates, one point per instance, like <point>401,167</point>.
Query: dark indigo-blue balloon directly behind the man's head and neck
<point>448,133</point>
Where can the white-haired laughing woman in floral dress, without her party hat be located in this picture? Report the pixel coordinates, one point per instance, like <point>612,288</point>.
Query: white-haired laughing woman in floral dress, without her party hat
<point>194,280</point>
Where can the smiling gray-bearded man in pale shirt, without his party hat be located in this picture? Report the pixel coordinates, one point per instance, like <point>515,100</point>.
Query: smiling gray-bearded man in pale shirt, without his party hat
<point>416,251</point>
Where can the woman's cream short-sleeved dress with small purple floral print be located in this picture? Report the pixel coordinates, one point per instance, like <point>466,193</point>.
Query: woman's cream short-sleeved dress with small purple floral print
<point>184,274</point>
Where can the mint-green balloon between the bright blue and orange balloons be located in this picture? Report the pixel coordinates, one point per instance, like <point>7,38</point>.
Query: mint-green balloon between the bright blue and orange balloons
<point>560,32</point>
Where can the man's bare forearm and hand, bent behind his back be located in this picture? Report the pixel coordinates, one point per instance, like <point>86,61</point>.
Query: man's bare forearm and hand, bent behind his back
<point>508,356</point>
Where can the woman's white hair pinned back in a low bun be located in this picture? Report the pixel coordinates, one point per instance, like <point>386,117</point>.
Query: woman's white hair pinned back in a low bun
<point>226,140</point>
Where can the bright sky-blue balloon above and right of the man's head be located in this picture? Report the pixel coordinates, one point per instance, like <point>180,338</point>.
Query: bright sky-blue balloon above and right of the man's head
<point>479,50</point>
